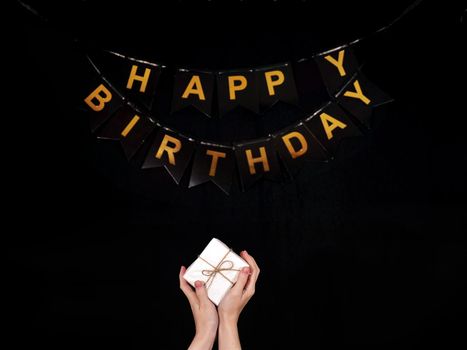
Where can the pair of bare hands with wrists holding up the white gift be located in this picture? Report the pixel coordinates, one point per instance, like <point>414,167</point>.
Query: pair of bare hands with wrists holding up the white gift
<point>209,319</point>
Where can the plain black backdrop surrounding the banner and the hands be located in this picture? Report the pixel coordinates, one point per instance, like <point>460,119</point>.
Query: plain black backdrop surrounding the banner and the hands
<point>368,249</point>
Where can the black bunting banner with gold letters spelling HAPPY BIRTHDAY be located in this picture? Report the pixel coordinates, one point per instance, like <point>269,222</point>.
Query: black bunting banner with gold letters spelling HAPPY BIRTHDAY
<point>334,96</point>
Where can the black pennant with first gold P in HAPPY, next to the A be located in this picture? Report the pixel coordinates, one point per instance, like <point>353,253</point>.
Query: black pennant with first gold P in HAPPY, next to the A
<point>237,88</point>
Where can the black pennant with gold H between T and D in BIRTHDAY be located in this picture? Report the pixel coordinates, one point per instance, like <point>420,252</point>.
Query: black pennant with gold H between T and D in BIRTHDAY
<point>257,159</point>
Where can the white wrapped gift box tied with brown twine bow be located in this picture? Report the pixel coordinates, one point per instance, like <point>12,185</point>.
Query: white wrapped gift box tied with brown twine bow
<point>218,267</point>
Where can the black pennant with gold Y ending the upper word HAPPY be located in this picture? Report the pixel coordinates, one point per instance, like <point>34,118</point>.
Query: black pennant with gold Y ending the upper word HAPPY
<point>337,67</point>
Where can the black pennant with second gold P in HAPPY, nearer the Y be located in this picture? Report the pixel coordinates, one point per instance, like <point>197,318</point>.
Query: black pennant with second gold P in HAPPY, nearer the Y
<point>276,83</point>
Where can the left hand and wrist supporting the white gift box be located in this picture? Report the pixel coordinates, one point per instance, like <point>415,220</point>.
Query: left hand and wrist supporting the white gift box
<point>204,313</point>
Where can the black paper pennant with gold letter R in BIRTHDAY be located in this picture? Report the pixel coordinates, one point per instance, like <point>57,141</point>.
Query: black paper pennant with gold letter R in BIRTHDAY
<point>172,151</point>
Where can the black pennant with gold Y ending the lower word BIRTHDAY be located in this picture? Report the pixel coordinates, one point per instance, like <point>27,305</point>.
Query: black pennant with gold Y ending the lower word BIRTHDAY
<point>359,96</point>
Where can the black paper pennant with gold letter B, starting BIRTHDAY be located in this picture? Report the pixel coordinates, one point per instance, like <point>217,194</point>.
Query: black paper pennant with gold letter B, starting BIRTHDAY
<point>100,101</point>
